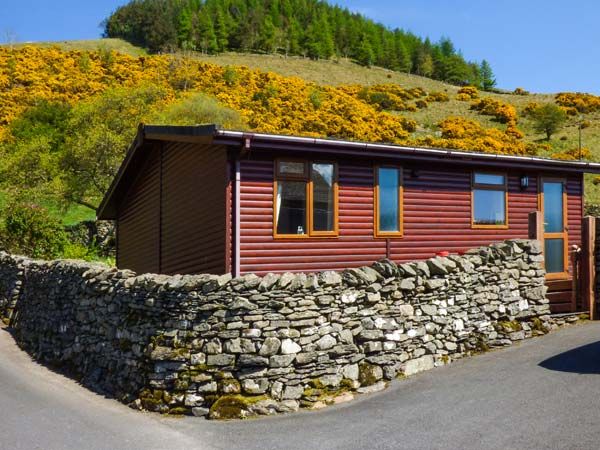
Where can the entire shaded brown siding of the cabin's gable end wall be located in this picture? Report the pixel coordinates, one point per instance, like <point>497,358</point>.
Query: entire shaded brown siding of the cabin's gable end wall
<point>174,219</point>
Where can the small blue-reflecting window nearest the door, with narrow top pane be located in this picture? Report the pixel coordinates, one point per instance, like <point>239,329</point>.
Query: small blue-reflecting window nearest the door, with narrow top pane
<point>489,201</point>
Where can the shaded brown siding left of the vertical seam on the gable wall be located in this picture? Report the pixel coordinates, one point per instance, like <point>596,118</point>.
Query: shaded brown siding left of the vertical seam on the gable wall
<point>138,225</point>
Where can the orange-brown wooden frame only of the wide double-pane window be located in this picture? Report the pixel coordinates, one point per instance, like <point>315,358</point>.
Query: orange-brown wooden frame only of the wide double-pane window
<point>307,178</point>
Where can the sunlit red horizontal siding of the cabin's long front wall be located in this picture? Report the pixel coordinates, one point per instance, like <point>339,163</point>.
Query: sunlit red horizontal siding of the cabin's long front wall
<point>437,216</point>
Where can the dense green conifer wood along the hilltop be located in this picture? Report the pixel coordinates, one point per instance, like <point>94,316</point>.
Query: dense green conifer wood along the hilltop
<point>310,28</point>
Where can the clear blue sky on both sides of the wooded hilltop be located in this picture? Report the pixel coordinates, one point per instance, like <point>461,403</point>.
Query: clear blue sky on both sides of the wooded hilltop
<point>542,46</point>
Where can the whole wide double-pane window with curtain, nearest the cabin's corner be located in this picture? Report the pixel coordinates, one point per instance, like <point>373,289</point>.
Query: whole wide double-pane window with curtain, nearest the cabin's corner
<point>305,199</point>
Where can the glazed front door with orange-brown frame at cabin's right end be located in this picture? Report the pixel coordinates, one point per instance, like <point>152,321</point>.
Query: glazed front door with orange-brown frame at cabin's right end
<point>553,198</point>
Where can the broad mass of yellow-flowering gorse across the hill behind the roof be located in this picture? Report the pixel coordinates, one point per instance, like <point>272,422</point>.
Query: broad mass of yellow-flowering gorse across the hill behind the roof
<point>268,102</point>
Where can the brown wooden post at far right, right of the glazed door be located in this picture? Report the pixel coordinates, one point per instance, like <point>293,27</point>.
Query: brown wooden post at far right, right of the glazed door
<point>588,265</point>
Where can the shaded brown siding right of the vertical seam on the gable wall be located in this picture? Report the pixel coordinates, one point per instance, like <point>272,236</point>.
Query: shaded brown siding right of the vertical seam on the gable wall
<point>193,209</point>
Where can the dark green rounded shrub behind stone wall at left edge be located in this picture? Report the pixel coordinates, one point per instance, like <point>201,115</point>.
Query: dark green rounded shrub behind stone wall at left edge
<point>28,229</point>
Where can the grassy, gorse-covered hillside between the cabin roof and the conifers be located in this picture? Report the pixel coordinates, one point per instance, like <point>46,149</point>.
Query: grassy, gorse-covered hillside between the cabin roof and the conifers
<point>293,95</point>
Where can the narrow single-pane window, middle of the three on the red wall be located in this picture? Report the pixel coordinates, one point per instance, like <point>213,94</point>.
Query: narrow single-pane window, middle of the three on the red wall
<point>388,201</point>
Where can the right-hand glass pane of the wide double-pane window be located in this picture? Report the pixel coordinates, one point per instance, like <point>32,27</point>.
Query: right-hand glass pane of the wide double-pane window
<point>323,197</point>
